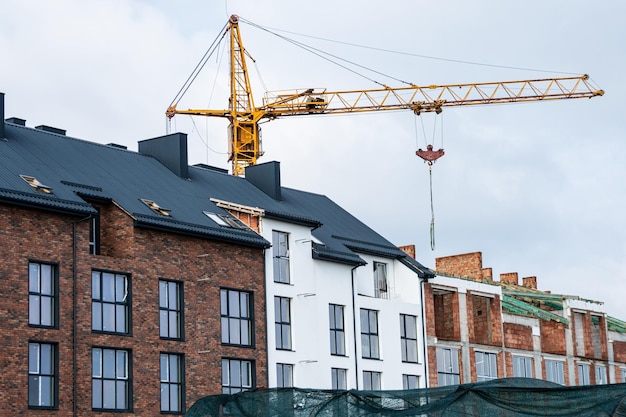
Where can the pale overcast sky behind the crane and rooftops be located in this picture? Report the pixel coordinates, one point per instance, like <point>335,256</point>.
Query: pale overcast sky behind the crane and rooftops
<point>537,188</point>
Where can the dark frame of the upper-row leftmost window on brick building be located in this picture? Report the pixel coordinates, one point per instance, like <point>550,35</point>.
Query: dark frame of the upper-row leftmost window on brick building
<point>53,295</point>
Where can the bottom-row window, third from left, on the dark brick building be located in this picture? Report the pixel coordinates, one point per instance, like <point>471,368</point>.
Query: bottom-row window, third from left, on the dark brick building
<point>172,376</point>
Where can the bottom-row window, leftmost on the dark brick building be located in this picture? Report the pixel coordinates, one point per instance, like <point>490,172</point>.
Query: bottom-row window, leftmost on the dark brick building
<point>42,375</point>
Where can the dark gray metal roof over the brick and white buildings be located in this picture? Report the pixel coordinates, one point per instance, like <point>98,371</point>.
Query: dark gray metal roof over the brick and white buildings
<point>77,170</point>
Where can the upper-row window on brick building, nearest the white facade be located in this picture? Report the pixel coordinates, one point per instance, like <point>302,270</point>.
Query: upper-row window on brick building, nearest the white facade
<point>236,316</point>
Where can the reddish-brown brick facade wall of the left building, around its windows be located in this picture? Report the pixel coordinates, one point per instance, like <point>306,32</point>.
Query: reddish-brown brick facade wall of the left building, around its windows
<point>146,255</point>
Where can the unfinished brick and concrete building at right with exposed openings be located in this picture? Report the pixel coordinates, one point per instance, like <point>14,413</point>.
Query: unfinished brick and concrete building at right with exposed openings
<point>480,329</point>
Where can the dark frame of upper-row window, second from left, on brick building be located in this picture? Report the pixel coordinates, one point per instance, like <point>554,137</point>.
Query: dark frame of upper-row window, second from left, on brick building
<point>125,304</point>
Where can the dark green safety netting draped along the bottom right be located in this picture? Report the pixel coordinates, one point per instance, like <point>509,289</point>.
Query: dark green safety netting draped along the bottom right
<point>503,397</point>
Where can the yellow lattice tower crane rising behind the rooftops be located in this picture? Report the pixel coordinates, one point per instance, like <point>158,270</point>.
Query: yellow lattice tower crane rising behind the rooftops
<point>244,116</point>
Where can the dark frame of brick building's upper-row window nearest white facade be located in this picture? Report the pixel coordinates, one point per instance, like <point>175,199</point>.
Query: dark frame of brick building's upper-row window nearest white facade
<point>228,314</point>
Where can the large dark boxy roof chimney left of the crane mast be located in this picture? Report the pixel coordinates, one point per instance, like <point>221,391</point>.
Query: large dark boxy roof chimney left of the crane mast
<point>170,150</point>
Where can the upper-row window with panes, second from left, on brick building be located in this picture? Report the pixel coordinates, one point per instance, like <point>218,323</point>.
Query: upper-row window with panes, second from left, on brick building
<point>110,302</point>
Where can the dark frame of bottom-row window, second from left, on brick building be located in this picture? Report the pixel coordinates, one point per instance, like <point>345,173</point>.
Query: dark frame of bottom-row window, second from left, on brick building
<point>128,389</point>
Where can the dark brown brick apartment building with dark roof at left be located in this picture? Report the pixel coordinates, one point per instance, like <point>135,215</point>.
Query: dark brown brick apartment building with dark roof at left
<point>121,294</point>
